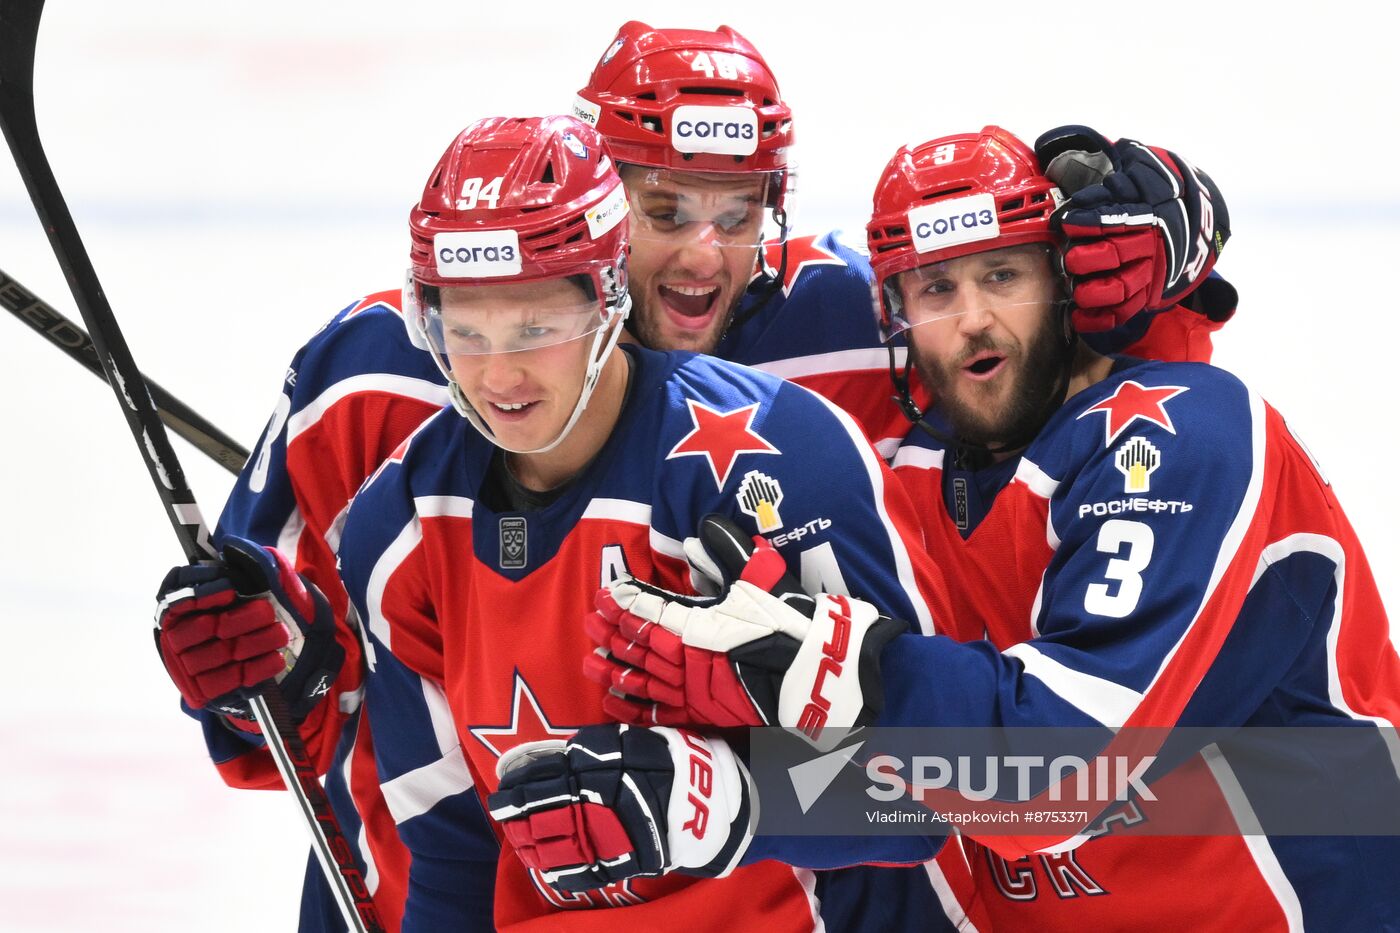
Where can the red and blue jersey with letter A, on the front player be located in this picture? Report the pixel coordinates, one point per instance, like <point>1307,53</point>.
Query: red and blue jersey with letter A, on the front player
<point>488,604</point>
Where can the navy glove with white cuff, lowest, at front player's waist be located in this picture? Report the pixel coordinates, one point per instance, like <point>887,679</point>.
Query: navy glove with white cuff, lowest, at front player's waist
<point>618,802</point>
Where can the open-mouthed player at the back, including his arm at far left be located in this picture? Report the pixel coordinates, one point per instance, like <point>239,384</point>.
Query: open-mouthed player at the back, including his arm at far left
<point>358,389</point>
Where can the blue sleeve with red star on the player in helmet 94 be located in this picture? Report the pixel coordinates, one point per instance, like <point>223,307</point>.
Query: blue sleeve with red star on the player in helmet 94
<point>846,529</point>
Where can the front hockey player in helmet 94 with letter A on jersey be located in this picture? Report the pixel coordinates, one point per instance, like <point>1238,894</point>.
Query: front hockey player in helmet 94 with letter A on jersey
<point>566,462</point>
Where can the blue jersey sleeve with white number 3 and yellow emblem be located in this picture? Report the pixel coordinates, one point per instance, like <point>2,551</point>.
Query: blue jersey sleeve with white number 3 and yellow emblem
<point>1140,595</point>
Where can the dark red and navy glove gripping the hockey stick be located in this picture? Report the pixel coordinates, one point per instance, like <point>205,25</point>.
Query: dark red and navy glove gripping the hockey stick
<point>229,628</point>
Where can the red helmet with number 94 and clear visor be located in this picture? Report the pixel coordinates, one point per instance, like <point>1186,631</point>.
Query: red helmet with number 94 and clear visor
<point>519,201</point>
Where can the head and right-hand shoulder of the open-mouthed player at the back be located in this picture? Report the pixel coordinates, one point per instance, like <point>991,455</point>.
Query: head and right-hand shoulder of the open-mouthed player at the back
<point>703,144</point>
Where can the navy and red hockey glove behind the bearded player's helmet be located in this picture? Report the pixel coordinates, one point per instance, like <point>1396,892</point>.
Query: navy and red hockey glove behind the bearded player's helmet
<point>1142,226</point>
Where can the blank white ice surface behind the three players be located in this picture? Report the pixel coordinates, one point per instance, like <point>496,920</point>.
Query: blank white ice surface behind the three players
<point>240,173</point>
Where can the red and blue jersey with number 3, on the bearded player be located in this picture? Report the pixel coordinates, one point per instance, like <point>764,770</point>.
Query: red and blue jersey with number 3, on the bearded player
<point>1164,554</point>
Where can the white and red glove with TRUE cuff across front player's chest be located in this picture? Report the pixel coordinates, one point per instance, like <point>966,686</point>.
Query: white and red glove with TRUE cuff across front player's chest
<point>759,654</point>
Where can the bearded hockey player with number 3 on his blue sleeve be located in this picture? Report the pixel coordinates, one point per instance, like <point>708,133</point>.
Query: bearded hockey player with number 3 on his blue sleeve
<point>1135,544</point>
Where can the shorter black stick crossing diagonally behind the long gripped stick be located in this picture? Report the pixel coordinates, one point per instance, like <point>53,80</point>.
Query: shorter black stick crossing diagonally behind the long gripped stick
<point>72,340</point>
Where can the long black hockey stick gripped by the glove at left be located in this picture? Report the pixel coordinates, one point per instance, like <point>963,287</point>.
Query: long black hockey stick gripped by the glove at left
<point>19,34</point>
